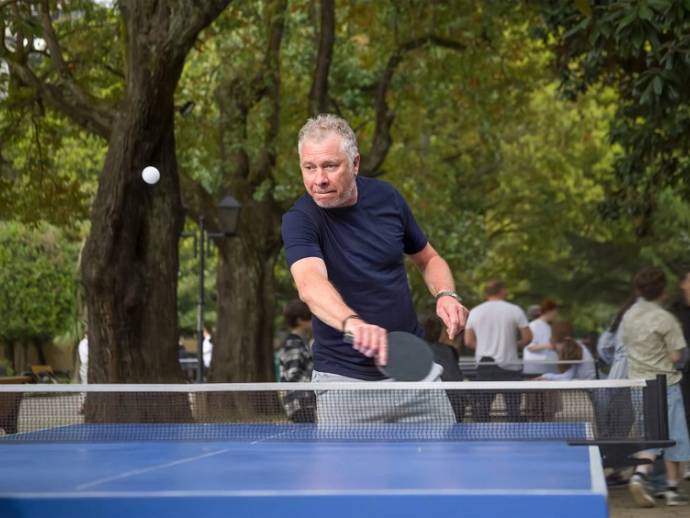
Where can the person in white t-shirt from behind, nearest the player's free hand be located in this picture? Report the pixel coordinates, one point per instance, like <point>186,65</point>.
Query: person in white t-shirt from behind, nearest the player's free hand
<point>492,330</point>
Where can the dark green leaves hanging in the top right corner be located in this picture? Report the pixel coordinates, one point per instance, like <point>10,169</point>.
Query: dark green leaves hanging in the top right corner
<point>641,49</point>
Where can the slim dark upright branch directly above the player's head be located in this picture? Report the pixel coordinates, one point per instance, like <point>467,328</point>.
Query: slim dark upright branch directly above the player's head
<point>318,94</point>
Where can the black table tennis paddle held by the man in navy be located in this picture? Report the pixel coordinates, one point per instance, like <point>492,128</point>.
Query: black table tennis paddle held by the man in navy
<point>409,357</point>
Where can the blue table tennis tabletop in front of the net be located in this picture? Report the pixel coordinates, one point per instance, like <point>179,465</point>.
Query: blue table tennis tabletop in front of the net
<point>278,474</point>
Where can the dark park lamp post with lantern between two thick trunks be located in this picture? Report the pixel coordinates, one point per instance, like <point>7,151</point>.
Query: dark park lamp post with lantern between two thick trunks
<point>229,216</point>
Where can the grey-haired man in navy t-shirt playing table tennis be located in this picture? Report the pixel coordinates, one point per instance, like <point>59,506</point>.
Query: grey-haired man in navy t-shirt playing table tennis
<point>345,242</point>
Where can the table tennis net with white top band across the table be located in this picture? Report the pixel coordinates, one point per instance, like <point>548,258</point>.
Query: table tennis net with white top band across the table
<point>610,410</point>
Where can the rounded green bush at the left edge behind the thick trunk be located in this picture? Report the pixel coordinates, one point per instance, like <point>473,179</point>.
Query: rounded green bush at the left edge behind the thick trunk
<point>37,282</point>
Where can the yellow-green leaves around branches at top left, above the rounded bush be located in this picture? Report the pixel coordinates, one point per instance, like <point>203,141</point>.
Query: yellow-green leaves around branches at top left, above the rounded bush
<point>48,167</point>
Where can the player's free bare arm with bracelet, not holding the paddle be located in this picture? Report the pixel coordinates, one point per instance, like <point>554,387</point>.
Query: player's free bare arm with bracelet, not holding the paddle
<point>439,280</point>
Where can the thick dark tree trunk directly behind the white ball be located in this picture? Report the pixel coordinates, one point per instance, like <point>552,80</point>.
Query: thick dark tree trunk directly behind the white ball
<point>130,259</point>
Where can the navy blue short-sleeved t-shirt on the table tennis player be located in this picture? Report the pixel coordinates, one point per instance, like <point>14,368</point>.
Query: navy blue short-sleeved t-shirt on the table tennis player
<point>363,247</point>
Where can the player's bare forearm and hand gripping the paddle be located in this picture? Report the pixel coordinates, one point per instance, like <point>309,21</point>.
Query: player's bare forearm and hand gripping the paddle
<point>324,301</point>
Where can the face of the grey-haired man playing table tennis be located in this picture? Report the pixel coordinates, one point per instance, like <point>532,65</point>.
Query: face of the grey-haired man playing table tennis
<point>327,174</point>
